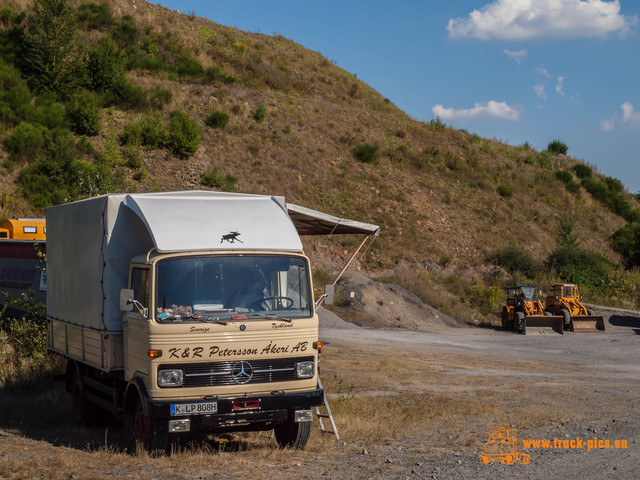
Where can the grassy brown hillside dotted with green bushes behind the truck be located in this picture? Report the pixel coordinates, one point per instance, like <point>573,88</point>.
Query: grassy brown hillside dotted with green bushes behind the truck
<point>289,122</point>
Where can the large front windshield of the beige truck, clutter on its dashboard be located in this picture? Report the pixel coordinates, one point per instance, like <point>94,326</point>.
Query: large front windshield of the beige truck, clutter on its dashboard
<point>220,287</point>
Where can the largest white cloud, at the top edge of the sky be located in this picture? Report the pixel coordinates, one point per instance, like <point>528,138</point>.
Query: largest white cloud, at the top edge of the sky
<point>541,19</point>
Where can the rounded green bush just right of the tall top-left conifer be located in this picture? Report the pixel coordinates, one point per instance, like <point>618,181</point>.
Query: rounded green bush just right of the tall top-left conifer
<point>104,65</point>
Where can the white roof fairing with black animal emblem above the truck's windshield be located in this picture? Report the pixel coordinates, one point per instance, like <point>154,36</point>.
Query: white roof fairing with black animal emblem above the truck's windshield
<point>211,220</point>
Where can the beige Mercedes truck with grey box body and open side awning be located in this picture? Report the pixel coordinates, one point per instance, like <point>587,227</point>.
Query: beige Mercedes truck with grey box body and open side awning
<point>187,313</point>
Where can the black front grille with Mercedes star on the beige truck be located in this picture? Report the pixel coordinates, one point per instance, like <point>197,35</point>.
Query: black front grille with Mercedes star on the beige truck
<point>211,374</point>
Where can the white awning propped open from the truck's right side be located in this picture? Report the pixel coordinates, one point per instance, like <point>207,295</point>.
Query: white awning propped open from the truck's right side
<point>313,222</point>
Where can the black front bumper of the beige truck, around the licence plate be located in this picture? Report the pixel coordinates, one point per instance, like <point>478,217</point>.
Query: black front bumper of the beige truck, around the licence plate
<point>259,412</point>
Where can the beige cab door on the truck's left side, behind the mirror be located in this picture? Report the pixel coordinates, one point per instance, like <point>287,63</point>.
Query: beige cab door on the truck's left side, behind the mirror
<point>136,326</point>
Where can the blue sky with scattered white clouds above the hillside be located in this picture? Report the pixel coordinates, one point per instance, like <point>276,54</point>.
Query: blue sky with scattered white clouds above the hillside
<point>514,70</point>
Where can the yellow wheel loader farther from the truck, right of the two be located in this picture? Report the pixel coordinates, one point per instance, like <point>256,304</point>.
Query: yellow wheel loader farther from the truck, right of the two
<point>565,300</point>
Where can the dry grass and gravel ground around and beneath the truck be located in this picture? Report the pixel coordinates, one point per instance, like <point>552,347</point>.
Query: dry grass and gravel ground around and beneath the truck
<point>408,404</point>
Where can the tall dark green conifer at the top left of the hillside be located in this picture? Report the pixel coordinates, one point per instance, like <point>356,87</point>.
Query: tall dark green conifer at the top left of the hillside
<point>49,60</point>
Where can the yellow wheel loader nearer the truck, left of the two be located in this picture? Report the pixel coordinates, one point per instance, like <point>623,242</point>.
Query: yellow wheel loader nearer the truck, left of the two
<point>523,310</point>
